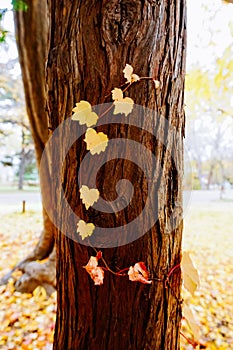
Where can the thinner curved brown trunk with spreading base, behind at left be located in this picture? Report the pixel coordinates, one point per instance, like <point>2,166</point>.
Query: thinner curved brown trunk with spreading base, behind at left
<point>31,29</point>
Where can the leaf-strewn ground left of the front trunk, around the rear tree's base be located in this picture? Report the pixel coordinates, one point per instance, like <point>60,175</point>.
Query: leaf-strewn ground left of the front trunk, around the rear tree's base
<point>26,320</point>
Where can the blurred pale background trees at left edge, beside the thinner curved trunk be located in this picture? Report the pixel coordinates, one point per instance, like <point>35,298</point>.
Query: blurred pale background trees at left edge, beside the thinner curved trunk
<point>14,120</point>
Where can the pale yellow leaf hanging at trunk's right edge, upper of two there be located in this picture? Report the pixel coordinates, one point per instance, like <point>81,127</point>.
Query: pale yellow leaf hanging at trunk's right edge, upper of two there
<point>190,274</point>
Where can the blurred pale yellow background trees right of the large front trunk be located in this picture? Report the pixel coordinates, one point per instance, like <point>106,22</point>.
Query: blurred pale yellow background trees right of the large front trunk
<point>209,121</point>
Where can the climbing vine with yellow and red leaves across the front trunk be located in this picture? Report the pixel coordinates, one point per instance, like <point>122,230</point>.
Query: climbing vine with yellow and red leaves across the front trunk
<point>97,142</point>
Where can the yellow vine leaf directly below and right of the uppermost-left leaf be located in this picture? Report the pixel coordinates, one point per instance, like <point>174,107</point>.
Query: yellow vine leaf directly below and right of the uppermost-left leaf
<point>96,142</point>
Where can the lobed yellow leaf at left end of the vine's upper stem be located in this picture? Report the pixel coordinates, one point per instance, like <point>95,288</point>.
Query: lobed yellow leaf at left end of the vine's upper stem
<point>83,114</point>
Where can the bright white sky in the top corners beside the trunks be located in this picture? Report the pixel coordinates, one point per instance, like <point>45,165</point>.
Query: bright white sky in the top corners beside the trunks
<point>204,27</point>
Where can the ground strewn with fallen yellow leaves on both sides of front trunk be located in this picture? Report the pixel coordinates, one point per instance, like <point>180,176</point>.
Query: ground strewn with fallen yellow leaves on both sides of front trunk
<point>27,321</point>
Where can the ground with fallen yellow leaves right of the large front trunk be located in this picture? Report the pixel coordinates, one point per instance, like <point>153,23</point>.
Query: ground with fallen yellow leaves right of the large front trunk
<point>208,235</point>
